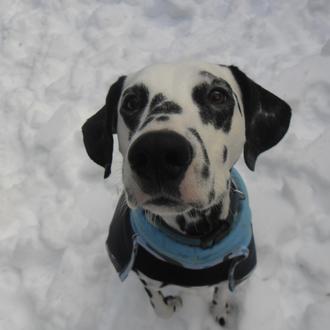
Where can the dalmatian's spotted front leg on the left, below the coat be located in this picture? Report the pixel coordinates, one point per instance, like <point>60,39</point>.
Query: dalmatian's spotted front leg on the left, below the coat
<point>164,306</point>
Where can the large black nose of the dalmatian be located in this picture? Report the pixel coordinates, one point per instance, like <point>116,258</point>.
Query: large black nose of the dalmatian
<point>160,157</point>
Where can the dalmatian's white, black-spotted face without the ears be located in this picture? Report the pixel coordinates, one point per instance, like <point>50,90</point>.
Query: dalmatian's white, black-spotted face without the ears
<point>169,119</point>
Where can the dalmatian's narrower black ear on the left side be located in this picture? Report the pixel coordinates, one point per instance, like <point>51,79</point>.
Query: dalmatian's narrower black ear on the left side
<point>98,129</point>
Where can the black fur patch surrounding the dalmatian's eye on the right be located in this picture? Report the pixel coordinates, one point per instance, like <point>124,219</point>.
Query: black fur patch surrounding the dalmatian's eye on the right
<point>219,116</point>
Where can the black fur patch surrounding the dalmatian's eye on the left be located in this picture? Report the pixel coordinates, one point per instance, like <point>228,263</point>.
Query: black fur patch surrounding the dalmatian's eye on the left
<point>132,116</point>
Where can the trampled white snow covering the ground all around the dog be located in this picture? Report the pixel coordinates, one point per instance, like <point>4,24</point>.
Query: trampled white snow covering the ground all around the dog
<point>57,61</point>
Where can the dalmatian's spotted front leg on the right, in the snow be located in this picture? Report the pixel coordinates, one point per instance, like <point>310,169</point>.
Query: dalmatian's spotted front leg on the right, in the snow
<point>221,305</point>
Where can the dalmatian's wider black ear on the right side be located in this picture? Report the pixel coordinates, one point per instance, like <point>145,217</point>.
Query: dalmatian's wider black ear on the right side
<point>267,117</point>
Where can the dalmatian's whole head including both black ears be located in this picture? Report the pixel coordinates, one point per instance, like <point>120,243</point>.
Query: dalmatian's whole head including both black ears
<point>181,128</point>
